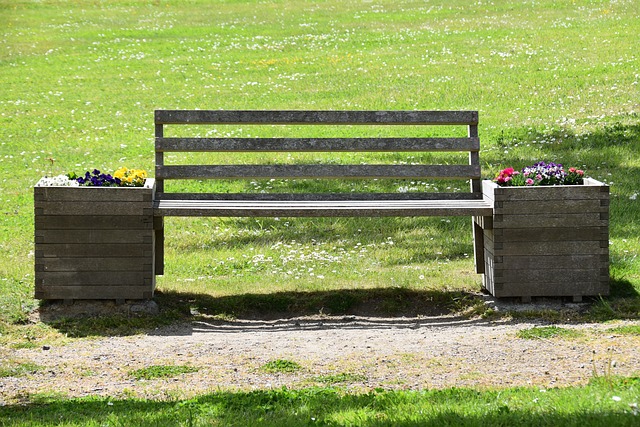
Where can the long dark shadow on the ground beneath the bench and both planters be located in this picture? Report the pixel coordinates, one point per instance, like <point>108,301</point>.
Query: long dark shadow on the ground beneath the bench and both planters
<point>361,308</point>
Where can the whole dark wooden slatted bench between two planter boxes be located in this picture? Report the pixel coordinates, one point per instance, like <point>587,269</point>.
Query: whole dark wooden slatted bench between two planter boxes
<point>227,202</point>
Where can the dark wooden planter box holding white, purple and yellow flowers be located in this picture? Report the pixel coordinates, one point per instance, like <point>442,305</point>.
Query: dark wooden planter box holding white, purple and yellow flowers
<point>94,242</point>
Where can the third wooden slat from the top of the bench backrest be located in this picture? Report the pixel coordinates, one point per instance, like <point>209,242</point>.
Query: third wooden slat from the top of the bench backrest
<point>317,171</point>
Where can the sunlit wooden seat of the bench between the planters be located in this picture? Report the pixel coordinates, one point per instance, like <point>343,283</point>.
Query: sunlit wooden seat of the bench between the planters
<point>322,208</point>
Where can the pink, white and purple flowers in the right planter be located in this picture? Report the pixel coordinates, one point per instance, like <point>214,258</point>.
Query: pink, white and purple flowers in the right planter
<point>540,173</point>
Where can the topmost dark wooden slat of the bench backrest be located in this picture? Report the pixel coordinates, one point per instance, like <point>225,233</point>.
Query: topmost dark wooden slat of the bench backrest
<point>316,117</point>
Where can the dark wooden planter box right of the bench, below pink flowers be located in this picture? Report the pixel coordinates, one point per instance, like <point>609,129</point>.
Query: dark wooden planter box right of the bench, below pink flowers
<point>547,240</point>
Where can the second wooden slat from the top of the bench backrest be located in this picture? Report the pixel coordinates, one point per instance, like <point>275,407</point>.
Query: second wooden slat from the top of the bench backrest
<point>317,144</point>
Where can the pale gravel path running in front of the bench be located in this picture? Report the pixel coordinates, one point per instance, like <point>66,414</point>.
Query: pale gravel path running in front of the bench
<point>391,353</point>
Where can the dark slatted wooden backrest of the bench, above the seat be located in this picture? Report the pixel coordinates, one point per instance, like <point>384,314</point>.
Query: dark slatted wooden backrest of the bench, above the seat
<point>469,170</point>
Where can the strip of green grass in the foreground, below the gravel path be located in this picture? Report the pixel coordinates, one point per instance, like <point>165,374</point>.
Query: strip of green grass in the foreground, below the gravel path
<point>593,405</point>
